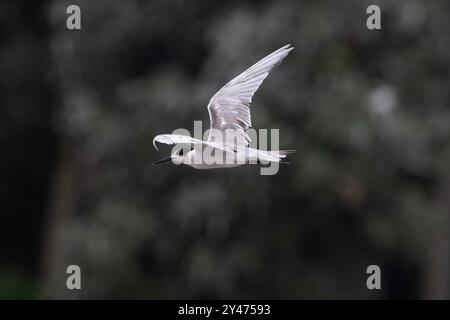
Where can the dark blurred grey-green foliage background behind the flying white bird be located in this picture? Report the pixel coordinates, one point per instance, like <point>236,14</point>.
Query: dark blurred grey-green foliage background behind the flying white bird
<point>367,111</point>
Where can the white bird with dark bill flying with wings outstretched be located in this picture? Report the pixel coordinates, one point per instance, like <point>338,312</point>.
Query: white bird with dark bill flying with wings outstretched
<point>230,118</point>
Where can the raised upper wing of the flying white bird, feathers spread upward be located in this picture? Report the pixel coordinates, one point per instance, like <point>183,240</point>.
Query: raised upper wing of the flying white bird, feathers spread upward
<point>229,107</point>
